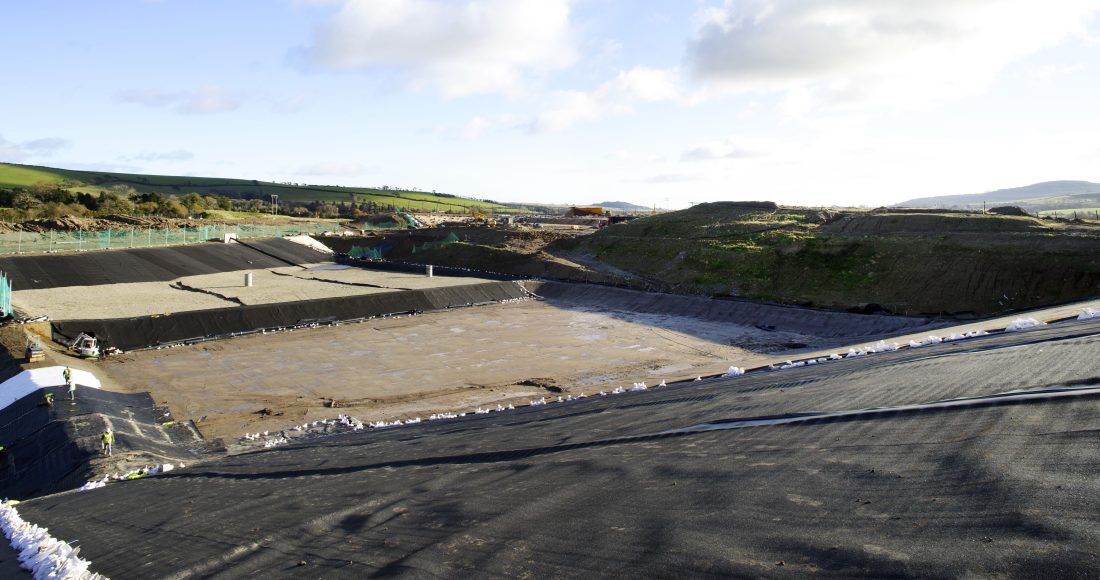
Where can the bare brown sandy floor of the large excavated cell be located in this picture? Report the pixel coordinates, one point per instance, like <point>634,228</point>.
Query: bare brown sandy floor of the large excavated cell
<point>436,363</point>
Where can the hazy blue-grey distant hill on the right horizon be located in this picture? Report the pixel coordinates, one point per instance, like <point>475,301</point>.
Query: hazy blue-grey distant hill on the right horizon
<point>1047,196</point>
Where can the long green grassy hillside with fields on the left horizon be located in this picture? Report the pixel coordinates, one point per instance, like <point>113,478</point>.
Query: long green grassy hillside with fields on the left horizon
<point>13,176</point>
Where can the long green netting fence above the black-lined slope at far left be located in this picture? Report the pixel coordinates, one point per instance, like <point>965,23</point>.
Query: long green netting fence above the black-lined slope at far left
<point>68,242</point>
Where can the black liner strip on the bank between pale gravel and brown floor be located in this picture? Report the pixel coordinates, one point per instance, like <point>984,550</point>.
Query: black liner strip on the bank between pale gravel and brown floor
<point>129,334</point>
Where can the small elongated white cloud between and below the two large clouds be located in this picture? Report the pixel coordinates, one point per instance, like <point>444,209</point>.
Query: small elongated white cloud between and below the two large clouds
<point>617,96</point>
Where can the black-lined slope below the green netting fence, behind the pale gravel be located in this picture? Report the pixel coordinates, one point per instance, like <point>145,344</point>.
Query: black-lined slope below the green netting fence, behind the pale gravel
<point>153,265</point>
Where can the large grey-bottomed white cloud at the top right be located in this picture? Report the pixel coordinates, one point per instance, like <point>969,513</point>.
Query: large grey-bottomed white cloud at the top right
<point>886,53</point>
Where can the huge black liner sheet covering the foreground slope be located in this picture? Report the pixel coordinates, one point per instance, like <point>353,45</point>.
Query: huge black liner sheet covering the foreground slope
<point>1005,491</point>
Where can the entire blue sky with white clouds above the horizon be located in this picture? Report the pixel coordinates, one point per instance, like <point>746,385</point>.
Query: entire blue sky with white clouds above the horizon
<point>667,104</point>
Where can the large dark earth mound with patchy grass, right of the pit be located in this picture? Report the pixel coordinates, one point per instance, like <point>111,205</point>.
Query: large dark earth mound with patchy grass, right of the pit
<point>905,262</point>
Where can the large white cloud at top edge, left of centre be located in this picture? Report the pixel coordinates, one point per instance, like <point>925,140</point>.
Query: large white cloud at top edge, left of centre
<point>457,48</point>
